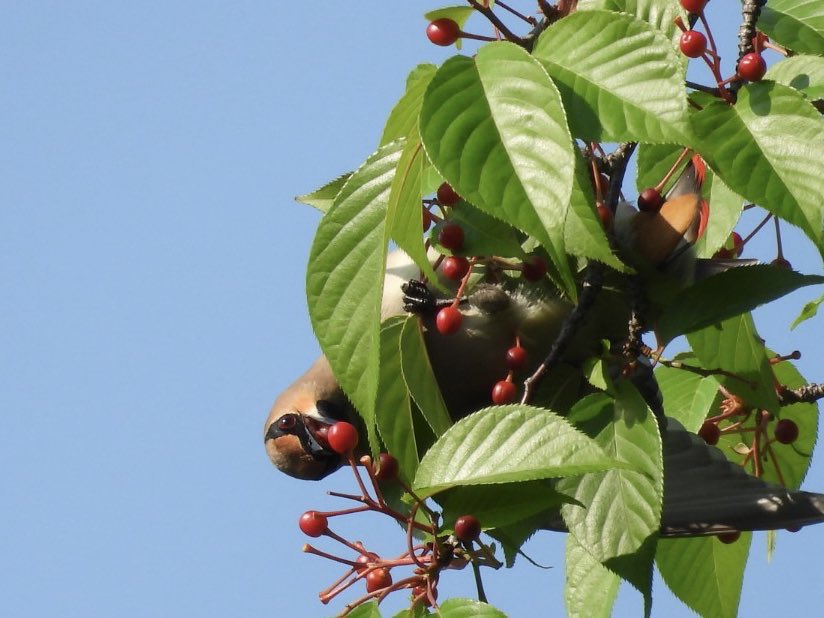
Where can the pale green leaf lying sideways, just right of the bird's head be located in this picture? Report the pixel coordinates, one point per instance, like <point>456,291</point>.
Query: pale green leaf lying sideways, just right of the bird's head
<point>508,444</point>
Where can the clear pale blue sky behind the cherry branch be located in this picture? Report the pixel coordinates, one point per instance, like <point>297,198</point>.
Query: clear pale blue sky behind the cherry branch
<point>152,265</point>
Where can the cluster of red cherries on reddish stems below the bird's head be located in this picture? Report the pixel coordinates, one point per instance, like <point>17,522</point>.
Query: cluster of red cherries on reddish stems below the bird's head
<point>426,558</point>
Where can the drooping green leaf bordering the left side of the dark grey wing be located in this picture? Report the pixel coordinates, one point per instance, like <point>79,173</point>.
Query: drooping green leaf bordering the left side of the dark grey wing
<point>622,506</point>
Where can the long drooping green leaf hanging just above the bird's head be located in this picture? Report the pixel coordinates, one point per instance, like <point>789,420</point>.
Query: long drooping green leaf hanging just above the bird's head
<point>344,280</point>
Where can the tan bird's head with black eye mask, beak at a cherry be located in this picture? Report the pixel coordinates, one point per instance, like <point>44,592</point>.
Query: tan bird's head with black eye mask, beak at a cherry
<point>295,432</point>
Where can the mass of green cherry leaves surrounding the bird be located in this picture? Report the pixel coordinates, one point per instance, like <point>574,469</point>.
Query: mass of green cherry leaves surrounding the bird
<point>510,128</point>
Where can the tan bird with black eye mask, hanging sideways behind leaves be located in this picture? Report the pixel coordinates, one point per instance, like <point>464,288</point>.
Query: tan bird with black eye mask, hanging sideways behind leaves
<point>704,493</point>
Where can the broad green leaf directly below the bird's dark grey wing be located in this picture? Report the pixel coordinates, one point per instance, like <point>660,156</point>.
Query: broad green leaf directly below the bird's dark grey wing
<point>705,573</point>
